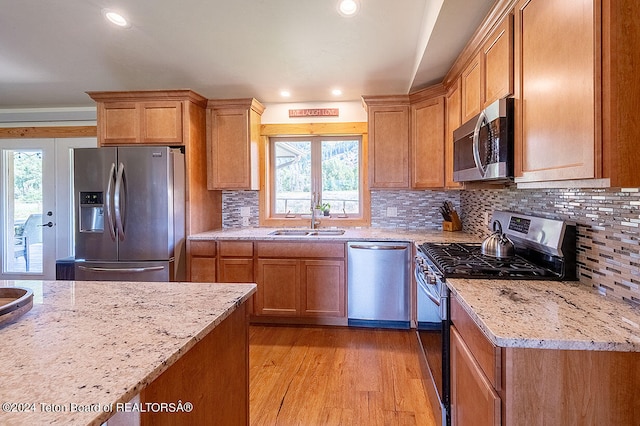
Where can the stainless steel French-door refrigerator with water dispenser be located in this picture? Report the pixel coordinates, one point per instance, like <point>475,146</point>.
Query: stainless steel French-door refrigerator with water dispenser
<point>129,206</point>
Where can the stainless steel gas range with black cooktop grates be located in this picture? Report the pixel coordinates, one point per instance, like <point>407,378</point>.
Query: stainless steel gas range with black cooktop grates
<point>545,249</point>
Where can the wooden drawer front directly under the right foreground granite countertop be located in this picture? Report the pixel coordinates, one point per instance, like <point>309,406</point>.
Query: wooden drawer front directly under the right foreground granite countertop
<point>487,355</point>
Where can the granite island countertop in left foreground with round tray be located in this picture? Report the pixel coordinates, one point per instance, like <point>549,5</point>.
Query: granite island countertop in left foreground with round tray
<point>92,345</point>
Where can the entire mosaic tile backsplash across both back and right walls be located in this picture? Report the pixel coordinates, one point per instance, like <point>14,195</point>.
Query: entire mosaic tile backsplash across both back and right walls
<point>607,221</point>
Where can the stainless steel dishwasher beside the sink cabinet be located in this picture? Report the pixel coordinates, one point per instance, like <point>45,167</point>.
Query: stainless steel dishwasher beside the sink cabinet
<point>379,278</point>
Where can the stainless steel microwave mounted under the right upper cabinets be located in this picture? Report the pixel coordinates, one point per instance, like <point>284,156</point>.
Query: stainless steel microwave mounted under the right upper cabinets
<point>483,146</point>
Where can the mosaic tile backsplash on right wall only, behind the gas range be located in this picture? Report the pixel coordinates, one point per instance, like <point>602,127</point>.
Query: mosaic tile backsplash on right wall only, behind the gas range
<point>607,222</point>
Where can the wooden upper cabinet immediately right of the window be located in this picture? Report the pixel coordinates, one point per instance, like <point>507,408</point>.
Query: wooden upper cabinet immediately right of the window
<point>388,127</point>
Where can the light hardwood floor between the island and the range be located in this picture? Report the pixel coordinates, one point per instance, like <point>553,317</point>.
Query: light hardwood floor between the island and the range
<point>335,376</point>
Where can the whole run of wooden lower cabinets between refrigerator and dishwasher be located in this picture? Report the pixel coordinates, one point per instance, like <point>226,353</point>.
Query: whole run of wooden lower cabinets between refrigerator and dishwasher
<point>298,282</point>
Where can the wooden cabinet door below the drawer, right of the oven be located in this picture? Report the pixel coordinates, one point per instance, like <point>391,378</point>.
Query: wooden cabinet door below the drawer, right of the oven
<point>473,399</point>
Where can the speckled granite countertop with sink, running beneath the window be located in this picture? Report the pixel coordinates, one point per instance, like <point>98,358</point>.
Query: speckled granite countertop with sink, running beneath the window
<point>351,234</point>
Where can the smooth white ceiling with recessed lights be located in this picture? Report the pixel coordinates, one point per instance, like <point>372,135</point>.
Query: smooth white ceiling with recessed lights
<point>52,52</point>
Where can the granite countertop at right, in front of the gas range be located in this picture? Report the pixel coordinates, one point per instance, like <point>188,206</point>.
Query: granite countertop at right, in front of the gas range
<point>549,314</point>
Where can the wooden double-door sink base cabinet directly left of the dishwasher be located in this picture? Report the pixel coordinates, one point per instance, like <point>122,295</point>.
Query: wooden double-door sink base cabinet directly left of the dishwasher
<point>301,281</point>
